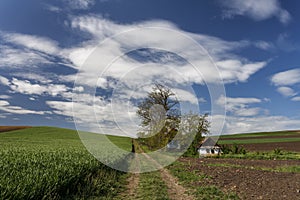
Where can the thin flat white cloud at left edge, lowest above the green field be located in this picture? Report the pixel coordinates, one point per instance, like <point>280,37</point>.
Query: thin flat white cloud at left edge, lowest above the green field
<point>6,107</point>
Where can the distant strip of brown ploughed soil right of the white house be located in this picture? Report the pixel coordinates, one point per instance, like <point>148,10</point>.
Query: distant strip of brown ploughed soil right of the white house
<point>287,146</point>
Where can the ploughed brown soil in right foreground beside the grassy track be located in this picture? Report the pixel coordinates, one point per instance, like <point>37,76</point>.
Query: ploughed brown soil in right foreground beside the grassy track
<point>247,179</point>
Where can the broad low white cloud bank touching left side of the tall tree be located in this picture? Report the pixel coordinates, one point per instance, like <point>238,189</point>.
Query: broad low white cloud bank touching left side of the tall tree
<point>115,118</point>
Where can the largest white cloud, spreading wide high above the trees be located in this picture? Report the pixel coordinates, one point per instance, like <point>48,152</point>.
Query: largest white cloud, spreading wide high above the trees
<point>231,67</point>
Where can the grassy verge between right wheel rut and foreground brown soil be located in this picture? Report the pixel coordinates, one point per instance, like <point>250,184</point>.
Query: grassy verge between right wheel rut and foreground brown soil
<point>194,181</point>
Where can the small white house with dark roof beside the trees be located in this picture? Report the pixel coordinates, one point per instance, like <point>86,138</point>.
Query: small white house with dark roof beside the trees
<point>209,148</point>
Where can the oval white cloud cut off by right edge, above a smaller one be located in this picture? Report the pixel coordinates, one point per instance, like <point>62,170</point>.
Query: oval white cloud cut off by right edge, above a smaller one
<point>285,78</point>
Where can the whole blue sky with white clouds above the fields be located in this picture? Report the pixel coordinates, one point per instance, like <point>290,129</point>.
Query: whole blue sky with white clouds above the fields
<point>251,46</point>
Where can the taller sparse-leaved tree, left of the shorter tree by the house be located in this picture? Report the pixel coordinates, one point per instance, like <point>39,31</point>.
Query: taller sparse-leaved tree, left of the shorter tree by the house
<point>159,113</point>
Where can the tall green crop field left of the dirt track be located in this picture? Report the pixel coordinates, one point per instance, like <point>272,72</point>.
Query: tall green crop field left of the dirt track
<point>52,163</point>
